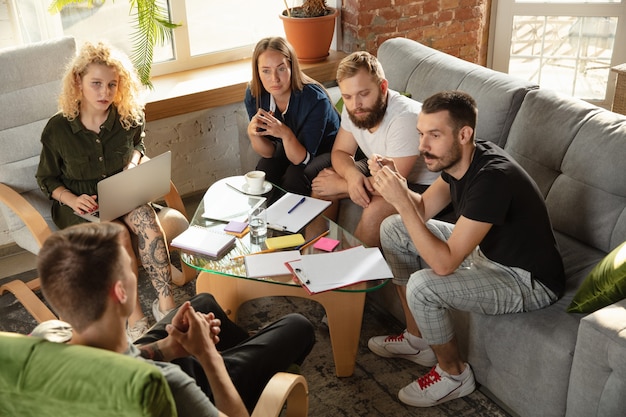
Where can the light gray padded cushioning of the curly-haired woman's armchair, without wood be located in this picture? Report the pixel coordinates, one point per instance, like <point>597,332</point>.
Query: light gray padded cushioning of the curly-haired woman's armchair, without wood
<point>28,98</point>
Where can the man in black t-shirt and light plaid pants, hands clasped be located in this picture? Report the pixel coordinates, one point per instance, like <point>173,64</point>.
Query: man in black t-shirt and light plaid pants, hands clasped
<point>500,256</point>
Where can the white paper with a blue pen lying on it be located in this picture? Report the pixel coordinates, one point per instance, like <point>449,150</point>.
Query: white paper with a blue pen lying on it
<point>286,216</point>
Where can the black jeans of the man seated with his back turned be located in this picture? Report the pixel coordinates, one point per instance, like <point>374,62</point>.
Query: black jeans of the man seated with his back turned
<point>251,361</point>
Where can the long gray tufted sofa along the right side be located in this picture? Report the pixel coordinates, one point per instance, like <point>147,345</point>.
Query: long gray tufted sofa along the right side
<point>549,362</point>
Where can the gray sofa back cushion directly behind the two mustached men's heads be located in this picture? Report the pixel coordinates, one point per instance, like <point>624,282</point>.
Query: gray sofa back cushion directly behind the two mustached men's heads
<point>422,71</point>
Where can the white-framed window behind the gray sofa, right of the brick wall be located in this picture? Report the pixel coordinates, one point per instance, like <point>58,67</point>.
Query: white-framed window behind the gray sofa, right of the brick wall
<point>564,45</point>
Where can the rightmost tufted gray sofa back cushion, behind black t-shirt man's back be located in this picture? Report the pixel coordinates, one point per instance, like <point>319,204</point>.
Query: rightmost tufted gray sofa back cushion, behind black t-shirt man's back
<point>572,150</point>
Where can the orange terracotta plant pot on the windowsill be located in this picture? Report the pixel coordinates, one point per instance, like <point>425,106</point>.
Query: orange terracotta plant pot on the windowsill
<point>310,36</point>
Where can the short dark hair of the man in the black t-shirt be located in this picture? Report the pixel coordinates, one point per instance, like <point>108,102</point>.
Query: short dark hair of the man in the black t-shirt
<point>460,106</point>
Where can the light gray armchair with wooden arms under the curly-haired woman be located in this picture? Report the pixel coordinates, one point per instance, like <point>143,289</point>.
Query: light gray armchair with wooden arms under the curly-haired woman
<point>29,90</point>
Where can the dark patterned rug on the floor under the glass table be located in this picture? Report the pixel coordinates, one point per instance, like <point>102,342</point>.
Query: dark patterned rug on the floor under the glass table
<point>371,391</point>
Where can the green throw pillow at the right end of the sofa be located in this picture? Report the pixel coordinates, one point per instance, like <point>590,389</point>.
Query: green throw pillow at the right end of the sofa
<point>606,284</point>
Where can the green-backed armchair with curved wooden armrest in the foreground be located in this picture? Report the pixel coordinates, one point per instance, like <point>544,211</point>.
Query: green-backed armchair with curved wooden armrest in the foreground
<point>38,377</point>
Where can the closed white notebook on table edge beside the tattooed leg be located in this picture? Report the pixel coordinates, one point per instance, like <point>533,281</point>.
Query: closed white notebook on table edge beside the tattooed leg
<point>205,241</point>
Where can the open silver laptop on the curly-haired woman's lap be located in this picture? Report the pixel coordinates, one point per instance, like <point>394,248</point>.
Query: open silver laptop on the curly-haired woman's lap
<point>131,188</point>
